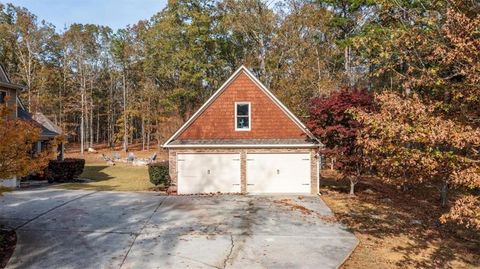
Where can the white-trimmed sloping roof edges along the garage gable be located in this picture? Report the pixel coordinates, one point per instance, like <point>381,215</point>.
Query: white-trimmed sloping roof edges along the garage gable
<point>260,85</point>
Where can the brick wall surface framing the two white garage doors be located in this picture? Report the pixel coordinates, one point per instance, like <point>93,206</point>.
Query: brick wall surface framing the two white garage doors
<point>243,161</point>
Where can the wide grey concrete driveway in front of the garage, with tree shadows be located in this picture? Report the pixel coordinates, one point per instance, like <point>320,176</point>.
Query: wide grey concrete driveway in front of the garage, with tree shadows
<point>86,229</point>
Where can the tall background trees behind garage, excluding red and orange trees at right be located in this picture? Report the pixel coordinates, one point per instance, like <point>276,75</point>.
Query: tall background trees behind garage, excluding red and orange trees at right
<point>139,83</point>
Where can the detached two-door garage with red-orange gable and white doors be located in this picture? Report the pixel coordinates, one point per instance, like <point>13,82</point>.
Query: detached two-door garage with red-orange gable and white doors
<point>243,140</point>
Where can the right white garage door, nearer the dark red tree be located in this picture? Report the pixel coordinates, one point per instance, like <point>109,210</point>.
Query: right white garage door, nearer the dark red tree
<point>278,173</point>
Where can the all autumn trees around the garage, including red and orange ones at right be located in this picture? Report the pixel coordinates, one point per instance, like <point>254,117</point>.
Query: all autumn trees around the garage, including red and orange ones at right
<point>395,84</point>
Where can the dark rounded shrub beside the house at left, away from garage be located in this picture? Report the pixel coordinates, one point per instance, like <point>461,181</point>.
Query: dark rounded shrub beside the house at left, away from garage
<point>65,170</point>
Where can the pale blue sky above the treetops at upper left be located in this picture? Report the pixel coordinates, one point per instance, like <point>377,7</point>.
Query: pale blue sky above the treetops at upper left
<point>114,13</point>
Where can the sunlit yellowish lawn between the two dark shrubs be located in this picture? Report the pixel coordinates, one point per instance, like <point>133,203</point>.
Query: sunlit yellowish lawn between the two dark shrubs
<point>121,177</point>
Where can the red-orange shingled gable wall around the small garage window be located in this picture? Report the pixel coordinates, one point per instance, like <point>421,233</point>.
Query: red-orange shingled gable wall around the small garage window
<point>267,119</point>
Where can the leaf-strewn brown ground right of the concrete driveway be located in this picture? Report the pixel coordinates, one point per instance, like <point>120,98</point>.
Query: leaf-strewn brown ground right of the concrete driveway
<point>398,228</point>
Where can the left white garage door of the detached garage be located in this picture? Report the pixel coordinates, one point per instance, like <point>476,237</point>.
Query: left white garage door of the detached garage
<point>206,173</point>
